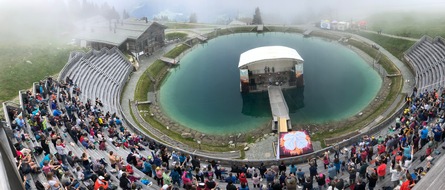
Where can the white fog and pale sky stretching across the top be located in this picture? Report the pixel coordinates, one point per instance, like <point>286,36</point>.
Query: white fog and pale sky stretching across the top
<point>41,19</point>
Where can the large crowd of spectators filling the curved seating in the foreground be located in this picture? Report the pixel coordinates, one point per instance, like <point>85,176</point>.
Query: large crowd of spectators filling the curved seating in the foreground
<point>55,122</point>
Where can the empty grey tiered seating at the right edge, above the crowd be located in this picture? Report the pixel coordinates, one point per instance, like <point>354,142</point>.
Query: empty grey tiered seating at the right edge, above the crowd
<point>427,58</point>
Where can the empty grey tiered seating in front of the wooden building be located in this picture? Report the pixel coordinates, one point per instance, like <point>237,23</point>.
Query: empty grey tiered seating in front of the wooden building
<point>100,75</point>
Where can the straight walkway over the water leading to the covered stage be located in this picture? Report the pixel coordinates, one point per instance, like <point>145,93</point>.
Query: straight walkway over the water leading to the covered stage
<point>280,111</point>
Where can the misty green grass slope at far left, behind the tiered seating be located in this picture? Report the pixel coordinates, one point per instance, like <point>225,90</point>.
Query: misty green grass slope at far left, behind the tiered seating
<point>20,66</point>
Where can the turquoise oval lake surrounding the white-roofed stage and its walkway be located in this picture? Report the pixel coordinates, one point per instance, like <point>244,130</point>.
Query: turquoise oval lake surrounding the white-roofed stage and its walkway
<point>203,93</point>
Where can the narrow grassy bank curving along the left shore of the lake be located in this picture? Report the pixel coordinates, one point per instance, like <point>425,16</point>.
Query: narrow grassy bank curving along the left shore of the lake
<point>158,70</point>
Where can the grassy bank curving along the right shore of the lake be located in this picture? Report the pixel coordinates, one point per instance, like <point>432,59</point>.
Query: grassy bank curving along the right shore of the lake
<point>394,89</point>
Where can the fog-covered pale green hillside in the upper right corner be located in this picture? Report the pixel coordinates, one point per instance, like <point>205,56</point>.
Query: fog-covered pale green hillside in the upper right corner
<point>412,24</point>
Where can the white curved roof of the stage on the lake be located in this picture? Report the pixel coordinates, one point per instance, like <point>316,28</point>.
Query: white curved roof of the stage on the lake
<point>268,53</point>
